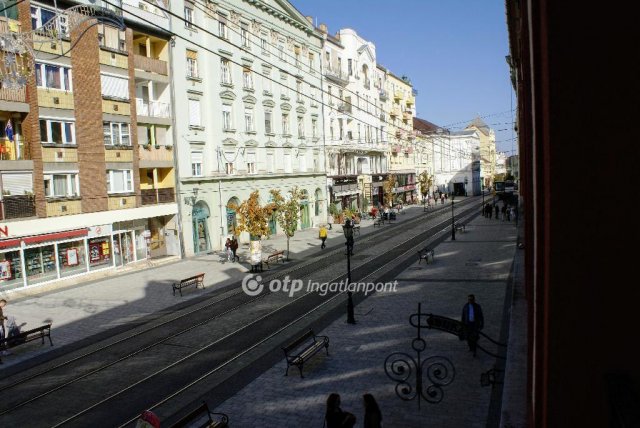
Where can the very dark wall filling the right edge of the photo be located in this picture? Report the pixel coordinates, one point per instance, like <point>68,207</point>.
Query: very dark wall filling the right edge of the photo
<point>581,158</point>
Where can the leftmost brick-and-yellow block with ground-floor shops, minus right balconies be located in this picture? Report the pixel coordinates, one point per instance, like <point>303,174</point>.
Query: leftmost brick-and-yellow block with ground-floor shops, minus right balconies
<point>72,153</point>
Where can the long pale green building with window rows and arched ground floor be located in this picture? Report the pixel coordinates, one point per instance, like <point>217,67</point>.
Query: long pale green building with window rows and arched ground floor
<point>250,116</point>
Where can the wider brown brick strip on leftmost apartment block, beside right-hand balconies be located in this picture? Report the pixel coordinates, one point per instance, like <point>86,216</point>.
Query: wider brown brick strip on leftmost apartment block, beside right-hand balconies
<point>87,98</point>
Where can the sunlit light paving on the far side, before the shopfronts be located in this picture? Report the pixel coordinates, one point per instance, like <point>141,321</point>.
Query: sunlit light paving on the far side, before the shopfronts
<point>81,308</point>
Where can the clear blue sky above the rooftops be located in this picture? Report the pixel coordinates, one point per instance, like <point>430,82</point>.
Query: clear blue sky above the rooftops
<point>452,50</point>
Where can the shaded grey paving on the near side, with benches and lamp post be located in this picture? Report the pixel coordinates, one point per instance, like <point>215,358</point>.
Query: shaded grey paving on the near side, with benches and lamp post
<point>478,262</point>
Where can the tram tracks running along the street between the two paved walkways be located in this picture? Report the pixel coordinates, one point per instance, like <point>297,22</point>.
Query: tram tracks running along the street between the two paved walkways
<point>273,314</point>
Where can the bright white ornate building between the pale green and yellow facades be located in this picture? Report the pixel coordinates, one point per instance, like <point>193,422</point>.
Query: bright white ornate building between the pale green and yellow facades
<point>356,159</point>
